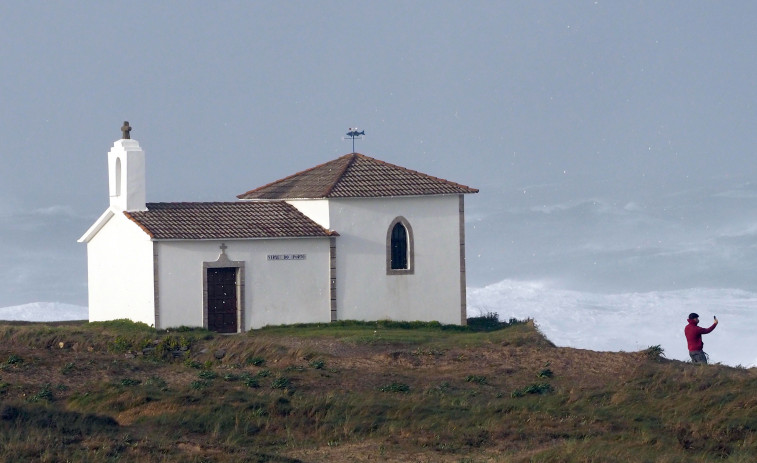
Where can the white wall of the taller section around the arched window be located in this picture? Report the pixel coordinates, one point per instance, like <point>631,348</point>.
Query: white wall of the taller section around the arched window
<point>365,291</point>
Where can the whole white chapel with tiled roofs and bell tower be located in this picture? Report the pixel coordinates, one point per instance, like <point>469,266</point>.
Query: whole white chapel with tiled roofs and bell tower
<point>354,238</point>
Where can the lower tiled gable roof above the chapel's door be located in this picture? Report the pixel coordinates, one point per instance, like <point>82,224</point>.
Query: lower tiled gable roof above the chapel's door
<point>225,220</point>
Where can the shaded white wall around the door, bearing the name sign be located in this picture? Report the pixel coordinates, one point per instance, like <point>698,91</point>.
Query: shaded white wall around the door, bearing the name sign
<point>276,292</point>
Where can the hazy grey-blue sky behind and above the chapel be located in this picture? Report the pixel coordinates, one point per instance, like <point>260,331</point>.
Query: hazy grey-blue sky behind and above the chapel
<point>544,106</point>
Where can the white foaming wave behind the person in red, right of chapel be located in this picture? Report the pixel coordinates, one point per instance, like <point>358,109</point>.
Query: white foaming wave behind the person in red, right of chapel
<point>628,321</point>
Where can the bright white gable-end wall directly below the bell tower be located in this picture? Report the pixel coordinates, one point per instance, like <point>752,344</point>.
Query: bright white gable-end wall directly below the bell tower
<point>119,264</point>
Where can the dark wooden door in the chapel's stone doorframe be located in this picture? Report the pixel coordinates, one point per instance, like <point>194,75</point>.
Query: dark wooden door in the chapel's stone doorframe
<point>222,299</point>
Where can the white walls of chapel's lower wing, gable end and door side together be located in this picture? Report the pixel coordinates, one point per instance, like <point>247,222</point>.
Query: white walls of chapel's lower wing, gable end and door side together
<point>160,283</point>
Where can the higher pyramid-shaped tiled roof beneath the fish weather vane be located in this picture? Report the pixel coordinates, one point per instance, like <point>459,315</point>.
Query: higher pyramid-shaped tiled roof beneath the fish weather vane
<point>356,176</point>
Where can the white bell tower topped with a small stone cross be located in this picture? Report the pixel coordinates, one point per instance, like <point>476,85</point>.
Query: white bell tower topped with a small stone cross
<point>126,173</point>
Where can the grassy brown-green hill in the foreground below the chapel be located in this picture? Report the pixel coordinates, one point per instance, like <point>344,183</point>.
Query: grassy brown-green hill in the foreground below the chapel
<point>358,392</point>
